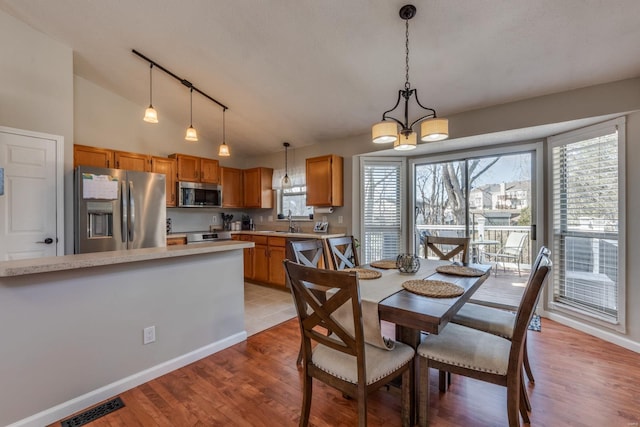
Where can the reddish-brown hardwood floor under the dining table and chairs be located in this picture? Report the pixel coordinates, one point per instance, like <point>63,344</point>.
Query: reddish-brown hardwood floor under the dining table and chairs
<point>580,381</point>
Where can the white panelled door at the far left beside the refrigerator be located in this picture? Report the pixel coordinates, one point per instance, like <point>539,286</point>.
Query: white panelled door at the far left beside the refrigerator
<point>28,207</point>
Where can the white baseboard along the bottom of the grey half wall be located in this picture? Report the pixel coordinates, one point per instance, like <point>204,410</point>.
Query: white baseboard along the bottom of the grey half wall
<point>79,403</point>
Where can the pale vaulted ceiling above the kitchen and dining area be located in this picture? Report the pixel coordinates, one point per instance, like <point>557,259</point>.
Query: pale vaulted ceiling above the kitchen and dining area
<point>308,71</point>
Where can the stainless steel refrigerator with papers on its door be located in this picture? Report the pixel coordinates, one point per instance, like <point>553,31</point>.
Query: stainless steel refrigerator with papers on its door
<point>117,209</point>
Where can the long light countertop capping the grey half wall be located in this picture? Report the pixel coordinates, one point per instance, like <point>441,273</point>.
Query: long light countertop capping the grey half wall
<point>95,259</point>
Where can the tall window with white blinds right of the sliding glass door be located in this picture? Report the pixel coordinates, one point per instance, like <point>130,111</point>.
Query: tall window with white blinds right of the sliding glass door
<point>587,202</point>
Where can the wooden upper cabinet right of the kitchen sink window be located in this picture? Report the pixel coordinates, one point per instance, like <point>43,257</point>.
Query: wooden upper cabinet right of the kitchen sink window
<point>324,181</point>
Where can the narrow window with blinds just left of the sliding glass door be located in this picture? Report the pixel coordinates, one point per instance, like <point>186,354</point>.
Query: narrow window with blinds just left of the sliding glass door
<point>382,212</point>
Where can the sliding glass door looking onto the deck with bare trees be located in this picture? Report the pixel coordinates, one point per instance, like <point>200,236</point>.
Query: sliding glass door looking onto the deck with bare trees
<point>485,197</point>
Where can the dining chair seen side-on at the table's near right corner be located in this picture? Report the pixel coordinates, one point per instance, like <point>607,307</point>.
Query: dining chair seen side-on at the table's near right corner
<point>484,356</point>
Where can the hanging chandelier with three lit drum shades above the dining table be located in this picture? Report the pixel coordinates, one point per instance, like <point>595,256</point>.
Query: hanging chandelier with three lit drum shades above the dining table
<point>400,132</point>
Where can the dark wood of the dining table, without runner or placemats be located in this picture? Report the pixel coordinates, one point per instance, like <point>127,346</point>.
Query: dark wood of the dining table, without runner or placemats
<point>413,314</point>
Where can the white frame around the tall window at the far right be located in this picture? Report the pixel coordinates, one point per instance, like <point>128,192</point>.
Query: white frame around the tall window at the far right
<point>589,132</point>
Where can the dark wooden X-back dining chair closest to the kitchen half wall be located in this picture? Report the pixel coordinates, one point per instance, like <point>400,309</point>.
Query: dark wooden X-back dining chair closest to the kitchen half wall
<point>342,360</point>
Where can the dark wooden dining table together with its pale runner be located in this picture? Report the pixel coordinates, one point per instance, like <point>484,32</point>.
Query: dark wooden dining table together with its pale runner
<point>414,314</point>
